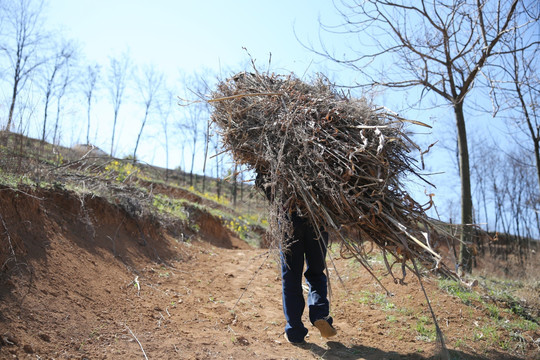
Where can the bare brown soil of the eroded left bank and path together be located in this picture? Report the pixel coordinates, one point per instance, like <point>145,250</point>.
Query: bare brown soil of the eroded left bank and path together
<point>68,291</point>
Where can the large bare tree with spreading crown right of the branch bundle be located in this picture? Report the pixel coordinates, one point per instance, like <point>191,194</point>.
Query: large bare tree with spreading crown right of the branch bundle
<point>437,46</point>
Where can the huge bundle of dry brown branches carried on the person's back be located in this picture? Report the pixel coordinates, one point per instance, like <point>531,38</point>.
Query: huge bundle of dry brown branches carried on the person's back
<point>335,160</point>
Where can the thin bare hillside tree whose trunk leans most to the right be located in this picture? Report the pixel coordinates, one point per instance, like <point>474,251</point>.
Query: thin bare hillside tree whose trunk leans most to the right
<point>149,84</point>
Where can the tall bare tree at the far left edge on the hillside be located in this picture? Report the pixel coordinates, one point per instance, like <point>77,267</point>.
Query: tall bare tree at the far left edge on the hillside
<point>20,43</point>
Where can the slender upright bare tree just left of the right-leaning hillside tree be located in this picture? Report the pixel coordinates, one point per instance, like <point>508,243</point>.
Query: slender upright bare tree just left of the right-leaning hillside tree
<point>117,81</point>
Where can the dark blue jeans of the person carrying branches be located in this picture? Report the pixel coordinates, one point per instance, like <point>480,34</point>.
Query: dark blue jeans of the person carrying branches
<point>303,244</point>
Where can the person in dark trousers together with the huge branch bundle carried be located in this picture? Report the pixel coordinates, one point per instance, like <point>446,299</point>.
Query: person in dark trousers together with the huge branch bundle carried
<point>330,159</point>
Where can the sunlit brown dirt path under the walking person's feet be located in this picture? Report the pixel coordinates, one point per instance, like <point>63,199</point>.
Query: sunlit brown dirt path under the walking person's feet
<point>212,303</point>
